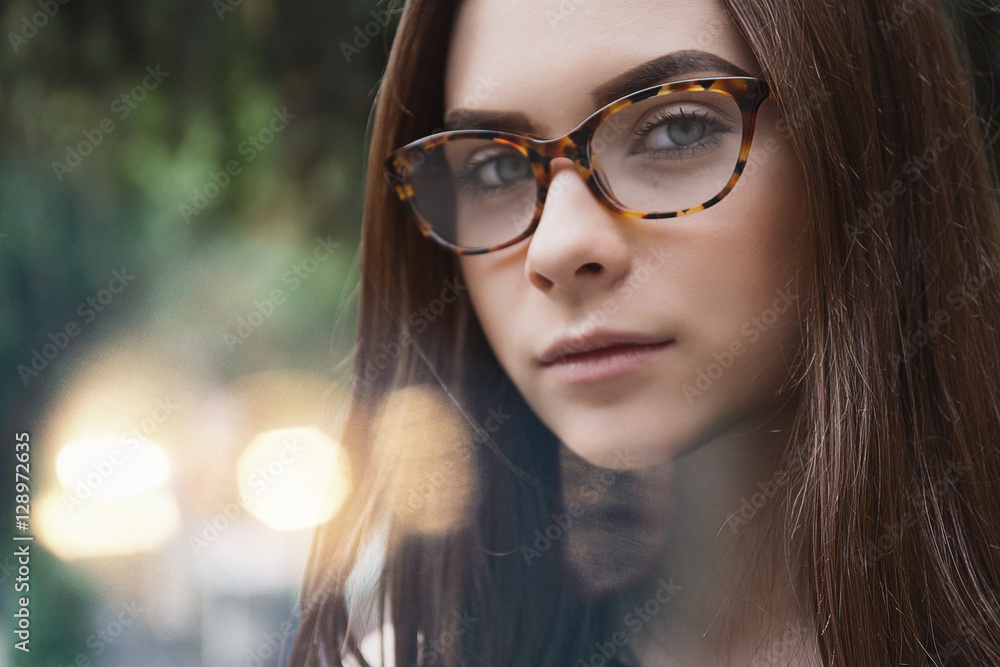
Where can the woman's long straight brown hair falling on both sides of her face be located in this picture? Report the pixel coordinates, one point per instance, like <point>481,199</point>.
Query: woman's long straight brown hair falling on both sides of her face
<point>896,505</point>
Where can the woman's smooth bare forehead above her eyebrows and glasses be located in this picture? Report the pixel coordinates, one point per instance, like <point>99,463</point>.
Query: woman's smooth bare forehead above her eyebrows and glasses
<point>547,58</point>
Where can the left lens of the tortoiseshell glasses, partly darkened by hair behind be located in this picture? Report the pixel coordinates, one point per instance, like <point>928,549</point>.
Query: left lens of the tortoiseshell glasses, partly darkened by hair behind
<point>474,192</point>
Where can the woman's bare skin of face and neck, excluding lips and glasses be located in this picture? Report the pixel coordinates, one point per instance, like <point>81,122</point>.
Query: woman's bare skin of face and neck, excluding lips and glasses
<point>723,280</point>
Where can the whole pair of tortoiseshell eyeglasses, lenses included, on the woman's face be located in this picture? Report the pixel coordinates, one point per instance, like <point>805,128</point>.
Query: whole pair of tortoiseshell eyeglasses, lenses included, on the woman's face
<point>661,152</point>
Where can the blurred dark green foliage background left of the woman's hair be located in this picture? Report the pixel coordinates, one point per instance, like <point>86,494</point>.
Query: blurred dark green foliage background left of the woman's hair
<point>113,115</point>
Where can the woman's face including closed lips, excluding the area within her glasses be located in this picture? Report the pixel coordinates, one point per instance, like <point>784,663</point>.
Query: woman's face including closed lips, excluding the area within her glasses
<point>694,318</point>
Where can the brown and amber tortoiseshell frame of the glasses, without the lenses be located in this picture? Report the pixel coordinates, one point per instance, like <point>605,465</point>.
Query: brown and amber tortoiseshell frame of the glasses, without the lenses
<point>748,93</point>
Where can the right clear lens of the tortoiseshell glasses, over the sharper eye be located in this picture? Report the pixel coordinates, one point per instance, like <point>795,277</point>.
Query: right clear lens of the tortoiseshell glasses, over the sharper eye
<point>669,153</point>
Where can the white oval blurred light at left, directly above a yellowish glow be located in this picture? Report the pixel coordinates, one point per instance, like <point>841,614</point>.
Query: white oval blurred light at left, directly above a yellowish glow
<point>111,467</point>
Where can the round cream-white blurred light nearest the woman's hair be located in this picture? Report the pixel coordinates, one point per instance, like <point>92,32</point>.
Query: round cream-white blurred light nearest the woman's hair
<point>293,478</point>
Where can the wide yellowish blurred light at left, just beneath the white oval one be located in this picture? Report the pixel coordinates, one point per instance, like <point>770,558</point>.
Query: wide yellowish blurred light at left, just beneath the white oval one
<point>90,528</point>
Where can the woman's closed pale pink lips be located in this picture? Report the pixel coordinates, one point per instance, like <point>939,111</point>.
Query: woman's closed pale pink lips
<point>600,355</point>
